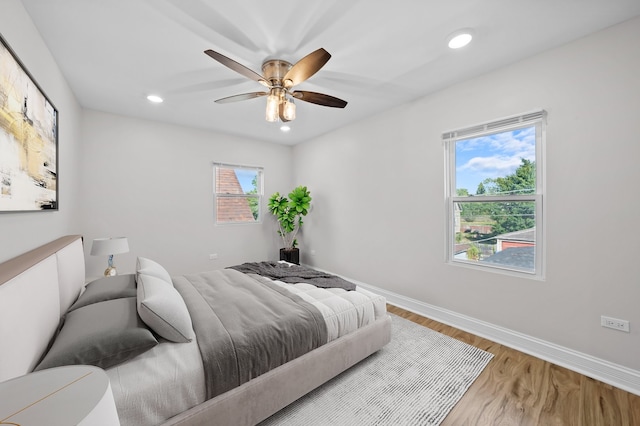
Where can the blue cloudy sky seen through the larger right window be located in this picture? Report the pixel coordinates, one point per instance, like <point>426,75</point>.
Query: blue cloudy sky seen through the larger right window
<point>492,156</point>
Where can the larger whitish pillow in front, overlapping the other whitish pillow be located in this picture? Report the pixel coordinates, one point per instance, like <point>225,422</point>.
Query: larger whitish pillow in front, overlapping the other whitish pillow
<point>162,308</point>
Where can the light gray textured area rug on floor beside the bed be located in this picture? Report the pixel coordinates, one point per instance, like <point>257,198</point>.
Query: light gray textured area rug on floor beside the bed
<point>415,380</point>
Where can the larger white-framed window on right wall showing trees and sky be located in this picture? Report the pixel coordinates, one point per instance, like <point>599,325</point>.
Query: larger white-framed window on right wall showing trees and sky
<point>494,194</point>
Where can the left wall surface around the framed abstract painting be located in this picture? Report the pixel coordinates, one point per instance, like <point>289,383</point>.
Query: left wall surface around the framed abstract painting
<point>20,232</point>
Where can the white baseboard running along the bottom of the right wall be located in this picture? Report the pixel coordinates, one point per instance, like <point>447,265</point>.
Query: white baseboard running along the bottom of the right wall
<point>596,368</point>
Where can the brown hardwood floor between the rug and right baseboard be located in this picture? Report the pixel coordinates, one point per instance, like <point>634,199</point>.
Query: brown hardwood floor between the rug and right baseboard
<point>519,389</point>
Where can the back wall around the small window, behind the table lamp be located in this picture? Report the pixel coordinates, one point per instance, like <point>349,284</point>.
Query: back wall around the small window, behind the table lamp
<point>153,183</point>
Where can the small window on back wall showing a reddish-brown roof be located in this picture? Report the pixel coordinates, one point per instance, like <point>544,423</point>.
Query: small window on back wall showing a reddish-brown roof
<point>237,193</point>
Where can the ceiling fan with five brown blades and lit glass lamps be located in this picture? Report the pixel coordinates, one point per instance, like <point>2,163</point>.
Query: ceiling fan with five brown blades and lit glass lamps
<point>279,77</point>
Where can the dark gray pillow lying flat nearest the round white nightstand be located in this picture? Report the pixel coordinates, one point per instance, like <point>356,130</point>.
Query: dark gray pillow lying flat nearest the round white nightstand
<point>102,334</point>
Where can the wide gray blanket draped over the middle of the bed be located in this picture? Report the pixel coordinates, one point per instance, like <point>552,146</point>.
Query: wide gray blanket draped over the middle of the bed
<point>245,327</point>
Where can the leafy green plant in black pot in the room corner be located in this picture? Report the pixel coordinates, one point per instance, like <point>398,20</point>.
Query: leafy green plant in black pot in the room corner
<point>289,213</point>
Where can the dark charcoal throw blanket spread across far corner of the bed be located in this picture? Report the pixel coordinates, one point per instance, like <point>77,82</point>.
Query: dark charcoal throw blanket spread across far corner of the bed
<point>294,274</point>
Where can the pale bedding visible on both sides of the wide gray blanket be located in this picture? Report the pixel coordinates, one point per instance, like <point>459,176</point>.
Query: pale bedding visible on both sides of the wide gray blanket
<point>169,378</point>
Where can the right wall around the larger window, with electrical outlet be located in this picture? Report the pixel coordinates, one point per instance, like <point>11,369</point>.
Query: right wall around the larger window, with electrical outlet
<point>378,188</point>
